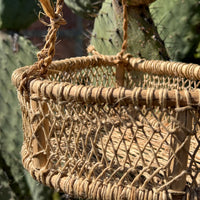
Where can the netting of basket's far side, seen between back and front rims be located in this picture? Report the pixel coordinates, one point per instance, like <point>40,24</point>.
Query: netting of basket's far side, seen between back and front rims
<point>105,76</point>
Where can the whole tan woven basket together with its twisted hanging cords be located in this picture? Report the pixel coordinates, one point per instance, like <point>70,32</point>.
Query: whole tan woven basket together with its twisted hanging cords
<point>94,130</point>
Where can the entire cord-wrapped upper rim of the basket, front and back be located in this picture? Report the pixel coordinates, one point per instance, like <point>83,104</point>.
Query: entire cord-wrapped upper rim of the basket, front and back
<point>137,96</point>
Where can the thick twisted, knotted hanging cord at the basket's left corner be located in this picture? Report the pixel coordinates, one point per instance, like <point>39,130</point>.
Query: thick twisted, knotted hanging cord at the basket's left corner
<point>45,56</point>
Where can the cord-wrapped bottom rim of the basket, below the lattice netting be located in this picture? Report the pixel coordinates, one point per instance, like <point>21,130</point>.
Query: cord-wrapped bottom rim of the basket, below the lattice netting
<point>79,187</point>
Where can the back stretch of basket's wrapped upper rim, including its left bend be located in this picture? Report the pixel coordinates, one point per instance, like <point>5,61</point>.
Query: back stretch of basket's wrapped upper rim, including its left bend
<point>155,67</point>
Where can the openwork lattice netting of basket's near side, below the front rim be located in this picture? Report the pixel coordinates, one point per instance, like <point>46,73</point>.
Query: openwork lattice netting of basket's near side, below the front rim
<point>125,145</point>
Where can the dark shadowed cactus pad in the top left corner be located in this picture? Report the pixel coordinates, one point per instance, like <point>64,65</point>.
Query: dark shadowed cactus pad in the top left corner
<point>17,14</point>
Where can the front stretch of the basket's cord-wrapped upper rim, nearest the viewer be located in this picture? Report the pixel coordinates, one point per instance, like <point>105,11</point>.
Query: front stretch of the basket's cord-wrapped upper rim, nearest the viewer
<point>100,95</point>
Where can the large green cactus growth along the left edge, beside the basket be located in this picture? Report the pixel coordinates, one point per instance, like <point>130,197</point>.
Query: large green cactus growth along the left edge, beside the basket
<point>14,181</point>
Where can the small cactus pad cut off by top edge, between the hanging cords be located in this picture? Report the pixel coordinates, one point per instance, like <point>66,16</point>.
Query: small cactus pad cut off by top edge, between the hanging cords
<point>86,8</point>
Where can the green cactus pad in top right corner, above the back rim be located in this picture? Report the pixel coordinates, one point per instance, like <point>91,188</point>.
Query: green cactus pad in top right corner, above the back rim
<point>178,23</point>
